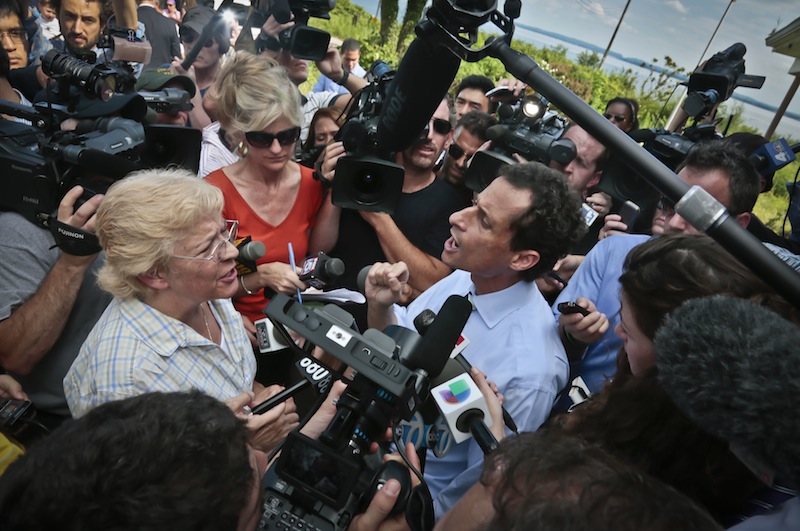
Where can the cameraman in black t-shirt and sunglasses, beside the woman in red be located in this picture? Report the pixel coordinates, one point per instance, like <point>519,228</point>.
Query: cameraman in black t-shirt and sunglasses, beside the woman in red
<point>416,232</point>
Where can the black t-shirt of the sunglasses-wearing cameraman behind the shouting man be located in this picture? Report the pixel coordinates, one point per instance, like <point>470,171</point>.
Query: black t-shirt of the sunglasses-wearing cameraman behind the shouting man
<point>422,216</point>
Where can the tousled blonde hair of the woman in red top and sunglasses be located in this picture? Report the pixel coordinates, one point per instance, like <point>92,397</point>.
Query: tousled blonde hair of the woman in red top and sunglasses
<point>251,92</point>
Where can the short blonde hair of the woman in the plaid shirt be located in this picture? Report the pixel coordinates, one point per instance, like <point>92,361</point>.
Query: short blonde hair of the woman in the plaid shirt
<point>141,219</point>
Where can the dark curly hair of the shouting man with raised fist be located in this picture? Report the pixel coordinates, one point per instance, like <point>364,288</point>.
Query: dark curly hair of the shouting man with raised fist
<point>553,223</point>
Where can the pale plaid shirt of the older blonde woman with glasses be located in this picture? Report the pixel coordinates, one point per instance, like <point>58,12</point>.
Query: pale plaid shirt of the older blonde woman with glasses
<point>134,349</point>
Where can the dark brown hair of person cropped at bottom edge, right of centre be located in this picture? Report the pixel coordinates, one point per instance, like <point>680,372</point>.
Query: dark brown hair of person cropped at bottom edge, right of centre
<point>547,480</point>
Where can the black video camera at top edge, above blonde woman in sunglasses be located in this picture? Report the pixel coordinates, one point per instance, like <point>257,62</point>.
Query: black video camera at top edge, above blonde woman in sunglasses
<point>302,41</point>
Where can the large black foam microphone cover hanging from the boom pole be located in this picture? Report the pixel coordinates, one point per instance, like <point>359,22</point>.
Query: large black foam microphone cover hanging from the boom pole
<point>422,80</point>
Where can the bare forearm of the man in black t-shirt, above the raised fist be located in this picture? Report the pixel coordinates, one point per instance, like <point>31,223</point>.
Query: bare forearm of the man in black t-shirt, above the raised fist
<point>425,270</point>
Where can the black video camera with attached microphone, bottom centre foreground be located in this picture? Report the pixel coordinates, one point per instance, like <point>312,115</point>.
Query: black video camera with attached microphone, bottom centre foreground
<point>323,484</point>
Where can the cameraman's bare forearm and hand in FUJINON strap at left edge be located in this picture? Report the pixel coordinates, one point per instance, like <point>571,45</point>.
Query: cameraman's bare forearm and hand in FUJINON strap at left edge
<point>33,328</point>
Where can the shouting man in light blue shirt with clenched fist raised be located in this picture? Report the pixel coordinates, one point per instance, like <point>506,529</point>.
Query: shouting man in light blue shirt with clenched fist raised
<point>515,231</point>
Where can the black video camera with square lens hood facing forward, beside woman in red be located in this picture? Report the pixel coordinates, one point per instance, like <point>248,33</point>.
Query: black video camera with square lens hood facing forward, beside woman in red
<point>365,177</point>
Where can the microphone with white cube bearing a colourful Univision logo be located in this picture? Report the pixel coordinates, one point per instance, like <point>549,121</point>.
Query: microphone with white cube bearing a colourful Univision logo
<point>463,407</point>
